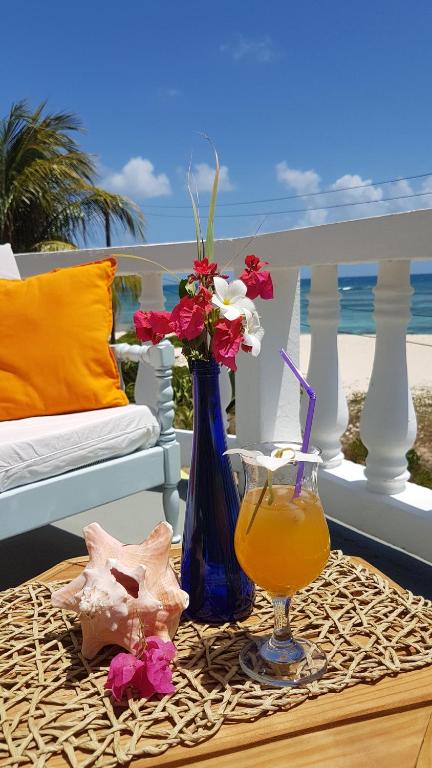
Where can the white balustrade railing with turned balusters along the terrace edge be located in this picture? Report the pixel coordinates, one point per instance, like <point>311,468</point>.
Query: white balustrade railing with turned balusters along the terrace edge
<point>377,500</point>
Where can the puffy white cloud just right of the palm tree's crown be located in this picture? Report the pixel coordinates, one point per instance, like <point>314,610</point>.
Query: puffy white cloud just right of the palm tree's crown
<point>138,179</point>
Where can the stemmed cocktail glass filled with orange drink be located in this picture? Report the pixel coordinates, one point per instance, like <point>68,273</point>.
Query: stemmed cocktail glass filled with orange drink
<point>282,542</point>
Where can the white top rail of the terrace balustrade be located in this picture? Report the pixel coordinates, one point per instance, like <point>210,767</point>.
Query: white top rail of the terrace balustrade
<point>381,238</point>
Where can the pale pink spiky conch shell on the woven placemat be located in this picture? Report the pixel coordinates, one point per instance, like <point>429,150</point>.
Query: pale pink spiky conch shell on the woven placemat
<point>126,591</point>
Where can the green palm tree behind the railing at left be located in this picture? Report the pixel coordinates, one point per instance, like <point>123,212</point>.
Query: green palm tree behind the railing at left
<point>48,198</point>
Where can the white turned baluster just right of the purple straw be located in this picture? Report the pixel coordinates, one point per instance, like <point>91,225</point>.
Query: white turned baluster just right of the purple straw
<point>331,413</point>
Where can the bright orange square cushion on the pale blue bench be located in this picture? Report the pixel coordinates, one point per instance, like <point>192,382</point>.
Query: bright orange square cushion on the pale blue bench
<point>54,351</point>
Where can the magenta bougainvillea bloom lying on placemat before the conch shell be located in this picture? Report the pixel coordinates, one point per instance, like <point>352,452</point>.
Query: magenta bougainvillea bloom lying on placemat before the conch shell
<point>147,674</point>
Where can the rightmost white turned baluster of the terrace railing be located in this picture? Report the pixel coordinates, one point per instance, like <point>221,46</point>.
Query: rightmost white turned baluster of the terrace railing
<point>388,423</point>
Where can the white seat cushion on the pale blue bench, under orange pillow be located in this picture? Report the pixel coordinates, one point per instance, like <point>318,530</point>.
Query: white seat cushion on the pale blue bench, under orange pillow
<point>44,446</point>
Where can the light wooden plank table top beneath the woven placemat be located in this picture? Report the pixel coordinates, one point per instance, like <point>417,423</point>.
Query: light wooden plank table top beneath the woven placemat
<point>386,725</point>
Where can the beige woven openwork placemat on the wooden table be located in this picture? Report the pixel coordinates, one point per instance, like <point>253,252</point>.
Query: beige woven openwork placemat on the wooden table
<point>52,701</point>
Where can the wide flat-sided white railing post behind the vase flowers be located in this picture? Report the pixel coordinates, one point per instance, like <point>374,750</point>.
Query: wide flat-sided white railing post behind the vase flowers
<point>267,395</point>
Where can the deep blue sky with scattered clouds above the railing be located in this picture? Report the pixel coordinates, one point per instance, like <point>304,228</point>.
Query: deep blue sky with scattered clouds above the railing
<point>299,97</point>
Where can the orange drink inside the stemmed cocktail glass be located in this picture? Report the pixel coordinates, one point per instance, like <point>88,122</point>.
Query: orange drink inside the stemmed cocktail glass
<point>287,544</point>
